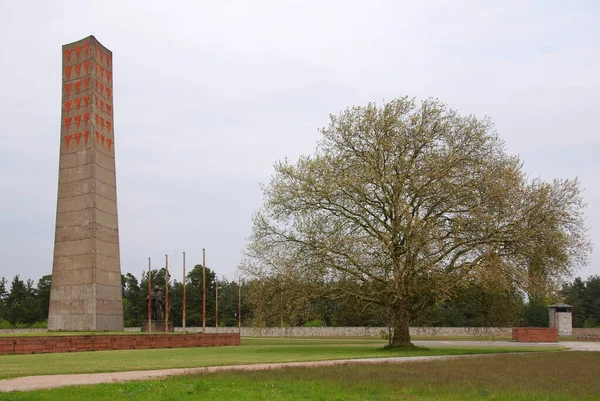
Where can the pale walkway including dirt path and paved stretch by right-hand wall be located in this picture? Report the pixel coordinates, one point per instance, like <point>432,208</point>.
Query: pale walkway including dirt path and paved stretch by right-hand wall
<point>53,381</point>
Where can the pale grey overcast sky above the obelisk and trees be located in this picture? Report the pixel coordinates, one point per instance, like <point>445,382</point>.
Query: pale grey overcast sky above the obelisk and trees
<point>209,94</point>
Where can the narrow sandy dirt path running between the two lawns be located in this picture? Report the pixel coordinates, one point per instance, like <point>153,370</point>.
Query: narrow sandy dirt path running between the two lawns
<point>53,381</point>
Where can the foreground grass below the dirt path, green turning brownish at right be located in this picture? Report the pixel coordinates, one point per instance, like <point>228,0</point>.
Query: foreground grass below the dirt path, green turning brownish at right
<point>559,376</point>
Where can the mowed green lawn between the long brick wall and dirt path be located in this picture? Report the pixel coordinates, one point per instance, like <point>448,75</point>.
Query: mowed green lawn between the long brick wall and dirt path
<point>250,352</point>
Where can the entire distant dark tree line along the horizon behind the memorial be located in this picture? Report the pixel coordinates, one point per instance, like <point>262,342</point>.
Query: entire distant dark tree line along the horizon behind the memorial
<point>278,301</point>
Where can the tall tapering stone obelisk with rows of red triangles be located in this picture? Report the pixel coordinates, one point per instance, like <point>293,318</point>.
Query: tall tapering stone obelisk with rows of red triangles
<point>86,273</point>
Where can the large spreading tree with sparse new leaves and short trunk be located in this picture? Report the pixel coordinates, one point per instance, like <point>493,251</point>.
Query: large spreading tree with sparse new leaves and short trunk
<point>403,203</point>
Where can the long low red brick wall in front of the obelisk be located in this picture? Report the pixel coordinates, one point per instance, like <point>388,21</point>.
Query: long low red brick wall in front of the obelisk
<point>46,344</point>
